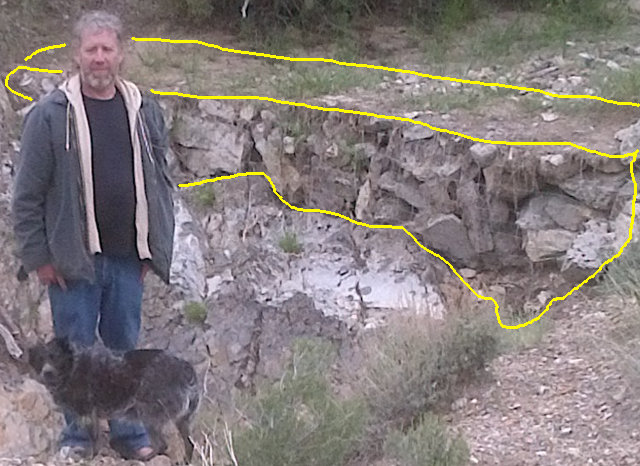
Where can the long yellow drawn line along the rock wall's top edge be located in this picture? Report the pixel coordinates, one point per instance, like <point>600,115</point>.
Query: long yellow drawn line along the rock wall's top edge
<point>392,117</point>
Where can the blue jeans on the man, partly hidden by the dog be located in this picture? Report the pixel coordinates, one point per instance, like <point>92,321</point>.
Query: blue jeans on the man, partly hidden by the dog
<point>111,304</point>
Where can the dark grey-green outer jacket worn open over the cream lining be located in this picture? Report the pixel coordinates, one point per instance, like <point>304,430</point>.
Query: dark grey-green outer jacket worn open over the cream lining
<point>49,194</point>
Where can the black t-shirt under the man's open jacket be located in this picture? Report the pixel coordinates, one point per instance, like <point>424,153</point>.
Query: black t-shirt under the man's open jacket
<point>113,183</point>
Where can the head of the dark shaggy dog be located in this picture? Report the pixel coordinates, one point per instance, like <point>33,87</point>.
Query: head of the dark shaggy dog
<point>52,361</point>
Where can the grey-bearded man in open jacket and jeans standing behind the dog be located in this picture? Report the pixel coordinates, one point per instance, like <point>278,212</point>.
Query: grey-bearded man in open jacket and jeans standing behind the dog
<point>93,209</point>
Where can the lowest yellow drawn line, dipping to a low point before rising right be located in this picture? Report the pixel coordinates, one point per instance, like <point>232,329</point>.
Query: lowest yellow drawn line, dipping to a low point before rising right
<point>400,227</point>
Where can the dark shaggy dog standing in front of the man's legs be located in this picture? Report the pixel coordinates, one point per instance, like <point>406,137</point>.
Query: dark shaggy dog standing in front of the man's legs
<point>148,386</point>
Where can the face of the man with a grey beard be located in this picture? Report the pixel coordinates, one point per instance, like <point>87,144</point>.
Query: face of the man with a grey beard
<point>99,57</point>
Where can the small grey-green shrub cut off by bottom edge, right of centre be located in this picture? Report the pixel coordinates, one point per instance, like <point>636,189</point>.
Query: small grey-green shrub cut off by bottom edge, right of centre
<point>427,443</point>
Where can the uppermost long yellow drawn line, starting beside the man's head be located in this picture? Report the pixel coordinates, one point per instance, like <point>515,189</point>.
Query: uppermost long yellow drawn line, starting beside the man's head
<point>384,68</point>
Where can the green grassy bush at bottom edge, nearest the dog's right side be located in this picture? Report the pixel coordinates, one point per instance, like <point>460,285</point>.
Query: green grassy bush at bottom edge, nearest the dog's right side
<point>298,420</point>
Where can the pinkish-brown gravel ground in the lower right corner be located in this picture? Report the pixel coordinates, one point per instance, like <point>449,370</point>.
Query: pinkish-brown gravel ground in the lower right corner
<point>566,401</point>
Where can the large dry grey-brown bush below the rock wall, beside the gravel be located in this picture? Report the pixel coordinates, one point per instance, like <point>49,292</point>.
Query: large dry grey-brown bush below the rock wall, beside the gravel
<point>416,363</point>
